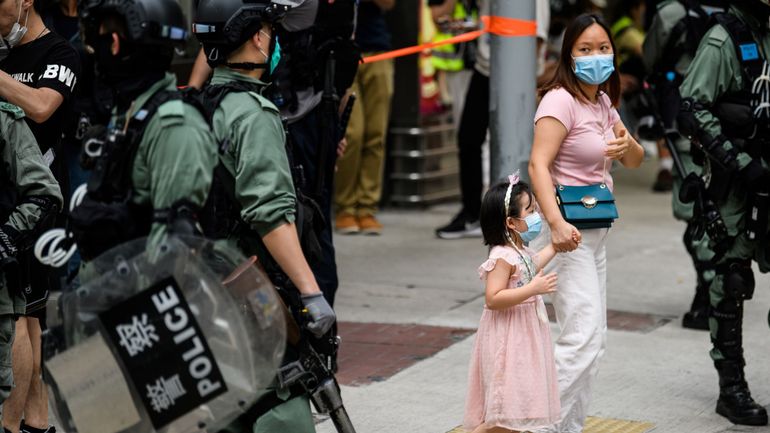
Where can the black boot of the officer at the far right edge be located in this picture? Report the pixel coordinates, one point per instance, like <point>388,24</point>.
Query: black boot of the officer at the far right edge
<point>735,402</point>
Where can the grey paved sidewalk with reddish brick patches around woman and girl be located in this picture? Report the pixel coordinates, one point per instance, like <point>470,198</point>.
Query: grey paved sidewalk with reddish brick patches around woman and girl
<point>410,303</point>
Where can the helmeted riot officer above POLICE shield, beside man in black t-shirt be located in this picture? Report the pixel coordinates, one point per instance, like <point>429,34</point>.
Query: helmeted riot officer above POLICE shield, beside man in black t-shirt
<point>153,165</point>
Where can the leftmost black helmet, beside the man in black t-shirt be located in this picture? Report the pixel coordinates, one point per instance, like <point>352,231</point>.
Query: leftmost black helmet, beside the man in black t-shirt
<point>148,22</point>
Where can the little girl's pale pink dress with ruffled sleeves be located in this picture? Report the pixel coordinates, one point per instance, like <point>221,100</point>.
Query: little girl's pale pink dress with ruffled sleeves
<point>512,380</point>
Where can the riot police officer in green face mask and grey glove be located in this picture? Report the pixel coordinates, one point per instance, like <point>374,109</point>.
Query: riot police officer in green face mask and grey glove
<point>254,187</point>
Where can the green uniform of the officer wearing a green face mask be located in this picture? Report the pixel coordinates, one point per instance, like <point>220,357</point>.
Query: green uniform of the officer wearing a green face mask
<point>256,158</point>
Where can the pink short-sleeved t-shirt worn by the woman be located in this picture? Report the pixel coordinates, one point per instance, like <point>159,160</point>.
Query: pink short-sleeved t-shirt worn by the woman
<point>580,160</point>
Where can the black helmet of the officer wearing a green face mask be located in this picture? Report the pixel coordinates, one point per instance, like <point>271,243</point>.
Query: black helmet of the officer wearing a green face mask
<point>221,26</point>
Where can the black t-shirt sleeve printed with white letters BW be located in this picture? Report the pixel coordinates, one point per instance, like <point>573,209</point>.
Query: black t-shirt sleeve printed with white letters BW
<point>61,69</point>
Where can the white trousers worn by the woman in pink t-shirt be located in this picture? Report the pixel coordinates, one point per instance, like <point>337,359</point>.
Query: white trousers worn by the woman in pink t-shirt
<point>581,311</point>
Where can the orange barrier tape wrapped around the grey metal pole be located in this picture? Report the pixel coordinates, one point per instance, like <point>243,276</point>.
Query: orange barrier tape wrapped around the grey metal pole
<point>510,27</point>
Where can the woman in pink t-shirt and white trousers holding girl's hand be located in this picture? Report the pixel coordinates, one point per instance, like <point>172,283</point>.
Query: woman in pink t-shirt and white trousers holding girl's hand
<point>578,134</point>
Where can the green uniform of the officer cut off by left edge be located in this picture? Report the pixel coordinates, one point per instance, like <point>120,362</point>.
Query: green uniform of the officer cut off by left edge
<point>39,196</point>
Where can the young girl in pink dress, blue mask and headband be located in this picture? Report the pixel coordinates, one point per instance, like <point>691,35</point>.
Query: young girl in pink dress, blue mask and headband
<point>512,377</point>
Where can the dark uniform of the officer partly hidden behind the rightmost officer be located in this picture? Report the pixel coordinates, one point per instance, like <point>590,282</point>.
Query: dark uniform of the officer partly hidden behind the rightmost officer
<point>667,53</point>
